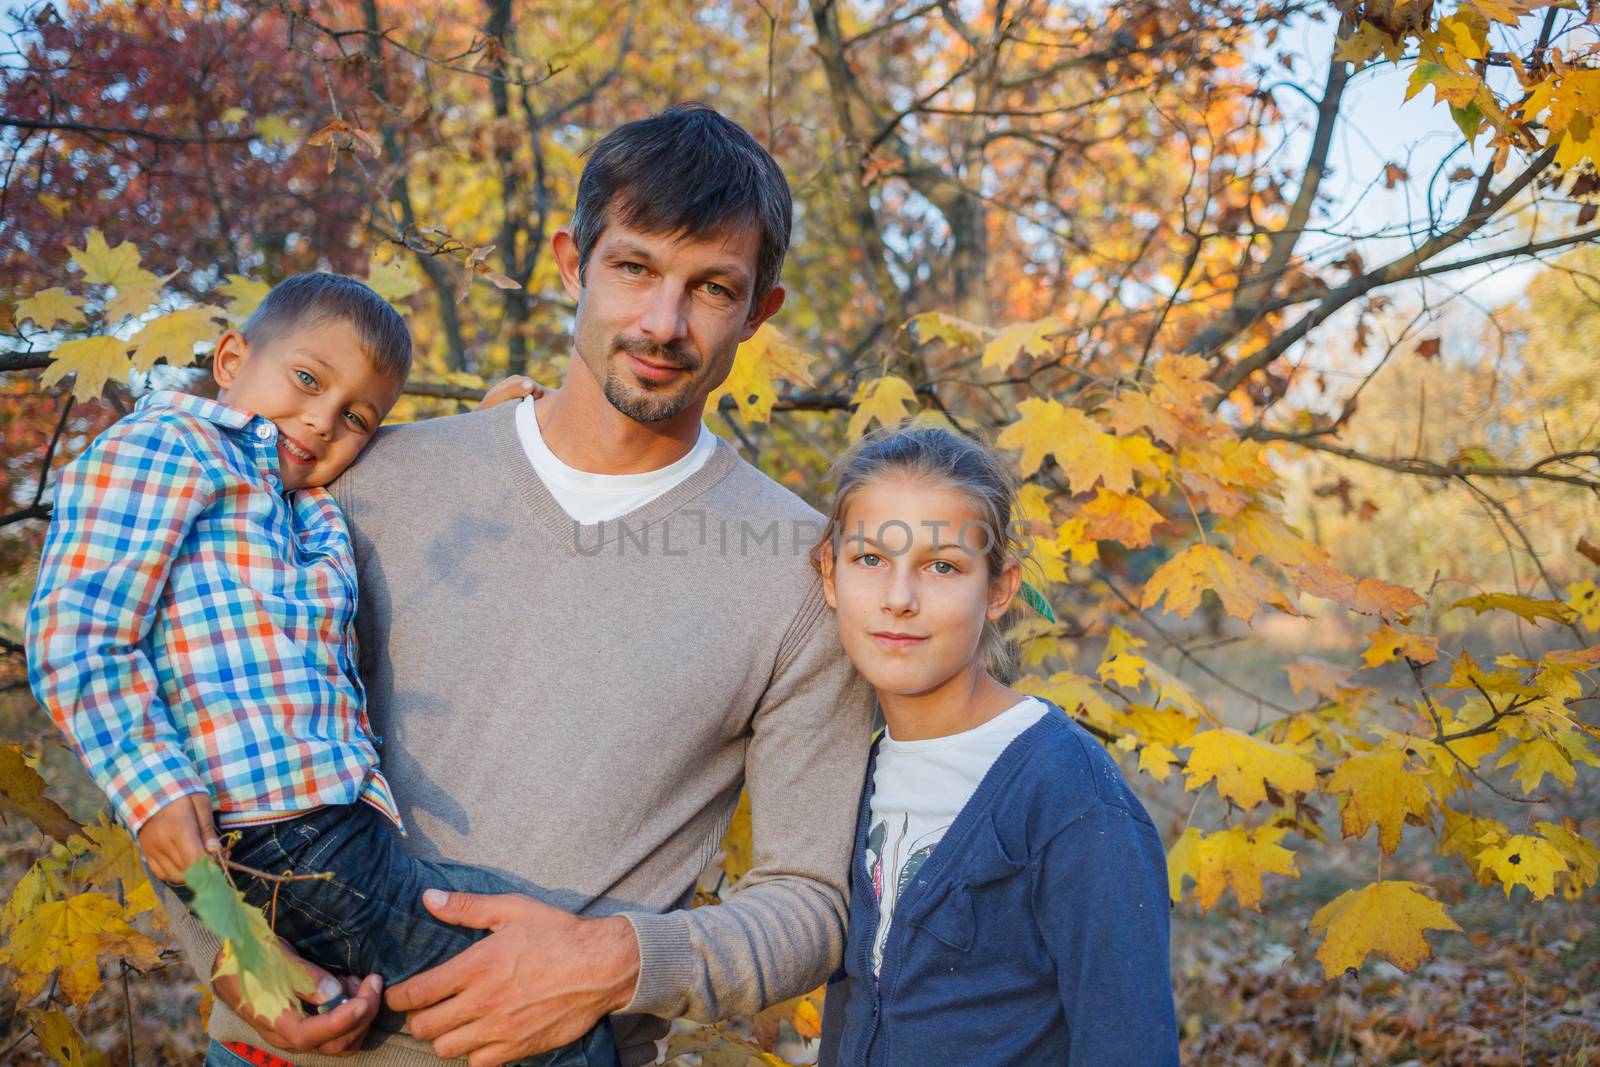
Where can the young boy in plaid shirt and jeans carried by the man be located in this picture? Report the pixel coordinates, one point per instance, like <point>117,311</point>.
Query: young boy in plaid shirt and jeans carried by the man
<point>193,636</point>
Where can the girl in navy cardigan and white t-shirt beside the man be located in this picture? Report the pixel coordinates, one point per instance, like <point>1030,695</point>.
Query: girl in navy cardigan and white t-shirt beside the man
<point>1009,892</point>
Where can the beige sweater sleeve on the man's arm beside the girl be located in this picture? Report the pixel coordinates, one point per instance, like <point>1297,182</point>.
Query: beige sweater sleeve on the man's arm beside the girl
<point>783,932</point>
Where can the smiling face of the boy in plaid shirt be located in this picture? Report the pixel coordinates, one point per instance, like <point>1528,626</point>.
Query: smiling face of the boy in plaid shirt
<point>318,386</point>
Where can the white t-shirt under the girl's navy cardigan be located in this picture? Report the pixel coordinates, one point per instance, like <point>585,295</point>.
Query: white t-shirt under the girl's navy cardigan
<point>918,791</point>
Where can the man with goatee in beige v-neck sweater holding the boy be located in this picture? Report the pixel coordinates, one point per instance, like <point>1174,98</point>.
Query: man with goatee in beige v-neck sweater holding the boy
<point>586,623</point>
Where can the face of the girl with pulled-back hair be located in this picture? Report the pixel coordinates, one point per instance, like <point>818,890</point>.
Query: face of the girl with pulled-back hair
<point>911,585</point>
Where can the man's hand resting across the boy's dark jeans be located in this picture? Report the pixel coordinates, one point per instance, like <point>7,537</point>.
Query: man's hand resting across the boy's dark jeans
<point>543,980</point>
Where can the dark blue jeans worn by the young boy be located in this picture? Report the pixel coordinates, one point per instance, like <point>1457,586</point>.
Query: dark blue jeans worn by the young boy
<point>369,917</point>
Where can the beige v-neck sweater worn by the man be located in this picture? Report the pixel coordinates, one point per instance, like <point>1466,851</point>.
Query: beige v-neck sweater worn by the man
<point>578,708</point>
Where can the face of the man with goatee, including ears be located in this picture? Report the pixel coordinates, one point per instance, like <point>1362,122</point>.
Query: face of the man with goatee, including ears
<point>660,316</point>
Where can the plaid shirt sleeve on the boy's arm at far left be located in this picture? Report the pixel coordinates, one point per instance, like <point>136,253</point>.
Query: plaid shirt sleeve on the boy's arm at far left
<point>122,511</point>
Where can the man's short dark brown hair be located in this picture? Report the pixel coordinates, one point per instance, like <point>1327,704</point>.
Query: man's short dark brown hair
<point>689,172</point>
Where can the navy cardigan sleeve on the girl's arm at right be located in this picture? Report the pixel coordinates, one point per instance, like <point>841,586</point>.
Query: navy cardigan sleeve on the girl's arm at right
<point>1102,906</point>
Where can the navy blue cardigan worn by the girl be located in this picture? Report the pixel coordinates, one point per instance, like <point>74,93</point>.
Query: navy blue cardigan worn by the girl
<point>1036,933</point>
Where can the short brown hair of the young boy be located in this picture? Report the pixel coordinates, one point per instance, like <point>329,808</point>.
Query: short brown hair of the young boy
<point>318,297</point>
